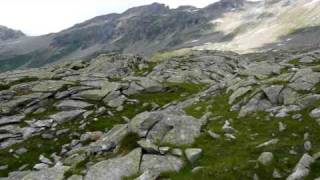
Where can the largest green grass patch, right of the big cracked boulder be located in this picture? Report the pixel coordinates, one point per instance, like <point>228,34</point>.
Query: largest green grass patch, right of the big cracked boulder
<point>235,159</point>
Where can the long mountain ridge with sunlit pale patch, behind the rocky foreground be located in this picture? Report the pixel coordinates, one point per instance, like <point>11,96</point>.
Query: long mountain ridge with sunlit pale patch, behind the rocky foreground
<point>237,25</point>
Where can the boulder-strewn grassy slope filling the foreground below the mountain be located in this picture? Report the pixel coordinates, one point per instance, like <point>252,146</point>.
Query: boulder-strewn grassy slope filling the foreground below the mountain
<point>180,115</point>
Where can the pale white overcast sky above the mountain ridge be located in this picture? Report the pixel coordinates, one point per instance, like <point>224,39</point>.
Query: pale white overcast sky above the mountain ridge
<point>36,17</point>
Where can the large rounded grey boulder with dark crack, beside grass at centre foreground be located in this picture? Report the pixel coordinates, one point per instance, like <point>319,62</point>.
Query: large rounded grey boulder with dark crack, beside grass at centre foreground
<point>160,126</point>
